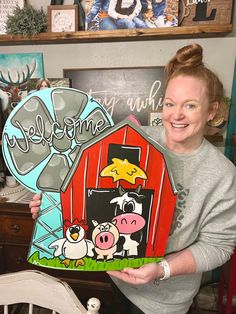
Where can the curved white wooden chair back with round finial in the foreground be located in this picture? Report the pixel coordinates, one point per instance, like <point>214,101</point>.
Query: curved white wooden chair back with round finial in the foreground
<point>39,289</point>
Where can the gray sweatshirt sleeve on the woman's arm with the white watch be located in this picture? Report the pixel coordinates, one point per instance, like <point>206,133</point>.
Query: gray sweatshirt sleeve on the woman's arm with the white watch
<point>217,236</point>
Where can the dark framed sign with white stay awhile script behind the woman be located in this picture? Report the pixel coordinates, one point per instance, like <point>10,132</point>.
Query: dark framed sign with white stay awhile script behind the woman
<point>122,91</point>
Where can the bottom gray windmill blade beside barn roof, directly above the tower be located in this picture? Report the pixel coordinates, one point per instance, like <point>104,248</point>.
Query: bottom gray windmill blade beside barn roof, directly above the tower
<point>54,173</point>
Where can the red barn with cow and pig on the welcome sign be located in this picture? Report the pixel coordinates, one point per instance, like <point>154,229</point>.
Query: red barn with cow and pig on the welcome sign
<point>120,192</point>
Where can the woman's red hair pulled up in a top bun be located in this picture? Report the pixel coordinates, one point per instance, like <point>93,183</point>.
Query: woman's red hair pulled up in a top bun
<point>188,62</point>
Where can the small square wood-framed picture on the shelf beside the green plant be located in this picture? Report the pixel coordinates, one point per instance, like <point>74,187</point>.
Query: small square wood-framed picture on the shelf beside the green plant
<point>63,18</point>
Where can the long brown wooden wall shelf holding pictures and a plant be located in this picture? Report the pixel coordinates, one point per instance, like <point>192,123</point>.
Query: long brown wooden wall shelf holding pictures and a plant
<point>203,30</point>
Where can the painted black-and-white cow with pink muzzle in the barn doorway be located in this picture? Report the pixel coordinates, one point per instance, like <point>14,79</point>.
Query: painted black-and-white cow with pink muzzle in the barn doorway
<point>129,221</point>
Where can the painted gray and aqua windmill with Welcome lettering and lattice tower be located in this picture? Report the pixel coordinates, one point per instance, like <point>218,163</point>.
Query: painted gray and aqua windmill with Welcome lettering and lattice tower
<point>40,141</point>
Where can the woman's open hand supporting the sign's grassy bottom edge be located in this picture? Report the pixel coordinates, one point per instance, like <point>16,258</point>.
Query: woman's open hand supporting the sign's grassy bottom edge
<point>139,276</point>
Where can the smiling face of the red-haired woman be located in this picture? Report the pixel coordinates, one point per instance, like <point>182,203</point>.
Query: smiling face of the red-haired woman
<point>185,113</point>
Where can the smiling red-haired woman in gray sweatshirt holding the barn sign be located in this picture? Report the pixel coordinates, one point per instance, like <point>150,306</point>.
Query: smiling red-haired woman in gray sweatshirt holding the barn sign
<point>203,232</point>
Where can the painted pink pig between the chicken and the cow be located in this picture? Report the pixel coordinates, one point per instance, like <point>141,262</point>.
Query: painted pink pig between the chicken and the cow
<point>105,237</point>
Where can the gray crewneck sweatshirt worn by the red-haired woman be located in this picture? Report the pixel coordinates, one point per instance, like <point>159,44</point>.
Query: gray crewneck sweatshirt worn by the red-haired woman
<point>204,222</point>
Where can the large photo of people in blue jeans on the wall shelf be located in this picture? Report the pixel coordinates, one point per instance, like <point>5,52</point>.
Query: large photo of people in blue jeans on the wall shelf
<point>140,14</point>
